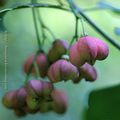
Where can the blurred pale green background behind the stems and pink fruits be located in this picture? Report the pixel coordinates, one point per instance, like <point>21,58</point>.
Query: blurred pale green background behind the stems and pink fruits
<point>22,43</point>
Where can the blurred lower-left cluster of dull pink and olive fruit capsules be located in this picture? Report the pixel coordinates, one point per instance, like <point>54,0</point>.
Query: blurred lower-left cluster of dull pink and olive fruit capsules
<point>36,96</point>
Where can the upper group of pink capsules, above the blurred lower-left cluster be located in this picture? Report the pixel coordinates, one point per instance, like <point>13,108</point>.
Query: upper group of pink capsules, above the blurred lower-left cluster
<point>82,56</point>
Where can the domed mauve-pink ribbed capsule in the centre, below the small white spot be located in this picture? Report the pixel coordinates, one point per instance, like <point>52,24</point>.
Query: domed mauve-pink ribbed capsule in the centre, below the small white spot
<point>62,70</point>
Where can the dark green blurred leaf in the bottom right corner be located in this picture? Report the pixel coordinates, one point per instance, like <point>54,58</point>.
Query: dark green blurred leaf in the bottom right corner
<point>104,104</point>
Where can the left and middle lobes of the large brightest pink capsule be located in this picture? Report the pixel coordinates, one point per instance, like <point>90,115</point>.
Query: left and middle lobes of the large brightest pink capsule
<point>85,51</point>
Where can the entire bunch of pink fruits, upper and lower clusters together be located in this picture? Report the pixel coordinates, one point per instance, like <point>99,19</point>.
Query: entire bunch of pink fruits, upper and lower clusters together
<point>40,95</point>
